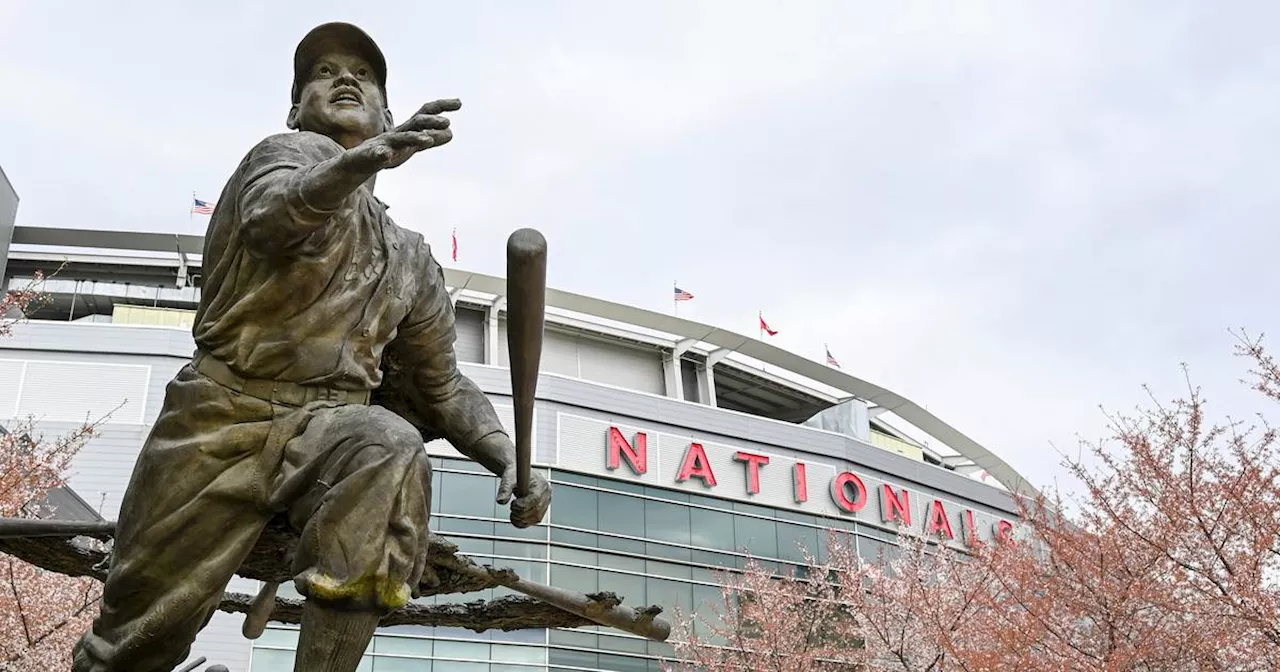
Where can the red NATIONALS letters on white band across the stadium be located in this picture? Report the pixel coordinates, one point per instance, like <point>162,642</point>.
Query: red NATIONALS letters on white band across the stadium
<point>687,463</point>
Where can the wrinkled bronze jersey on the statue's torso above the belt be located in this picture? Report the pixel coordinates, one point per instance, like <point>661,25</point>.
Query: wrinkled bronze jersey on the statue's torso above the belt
<point>308,296</point>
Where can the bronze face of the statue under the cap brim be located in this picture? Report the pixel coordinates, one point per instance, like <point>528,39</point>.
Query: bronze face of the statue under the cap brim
<point>342,100</point>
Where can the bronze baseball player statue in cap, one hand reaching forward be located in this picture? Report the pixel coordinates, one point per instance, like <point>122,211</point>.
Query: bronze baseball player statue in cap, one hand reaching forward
<point>309,285</point>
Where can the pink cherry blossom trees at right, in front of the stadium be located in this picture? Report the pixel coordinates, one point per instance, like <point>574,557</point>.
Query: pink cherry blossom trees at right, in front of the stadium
<point>1168,559</point>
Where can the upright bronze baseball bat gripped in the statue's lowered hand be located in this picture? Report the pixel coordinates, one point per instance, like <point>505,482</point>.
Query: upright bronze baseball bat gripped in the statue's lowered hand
<point>527,316</point>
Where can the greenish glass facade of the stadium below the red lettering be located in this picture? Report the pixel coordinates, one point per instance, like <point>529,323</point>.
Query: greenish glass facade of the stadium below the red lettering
<point>650,546</point>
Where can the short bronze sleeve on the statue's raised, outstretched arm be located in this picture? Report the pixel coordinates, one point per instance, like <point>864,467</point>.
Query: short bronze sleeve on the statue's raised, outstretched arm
<point>273,213</point>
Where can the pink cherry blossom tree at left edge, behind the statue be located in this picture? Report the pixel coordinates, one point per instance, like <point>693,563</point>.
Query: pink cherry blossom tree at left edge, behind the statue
<point>42,614</point>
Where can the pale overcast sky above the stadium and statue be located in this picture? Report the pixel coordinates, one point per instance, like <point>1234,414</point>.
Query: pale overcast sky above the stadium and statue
<point>1011,213</point>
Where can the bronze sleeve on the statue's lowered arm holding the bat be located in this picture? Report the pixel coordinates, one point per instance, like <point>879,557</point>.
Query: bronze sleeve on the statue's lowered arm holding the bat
<point>423,350</point>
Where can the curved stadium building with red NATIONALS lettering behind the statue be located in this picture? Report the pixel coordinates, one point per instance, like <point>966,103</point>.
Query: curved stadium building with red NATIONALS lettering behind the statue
<point>675,449</point>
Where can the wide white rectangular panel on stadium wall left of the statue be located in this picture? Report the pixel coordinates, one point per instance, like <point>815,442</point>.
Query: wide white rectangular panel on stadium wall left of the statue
<point>85,391</point>
